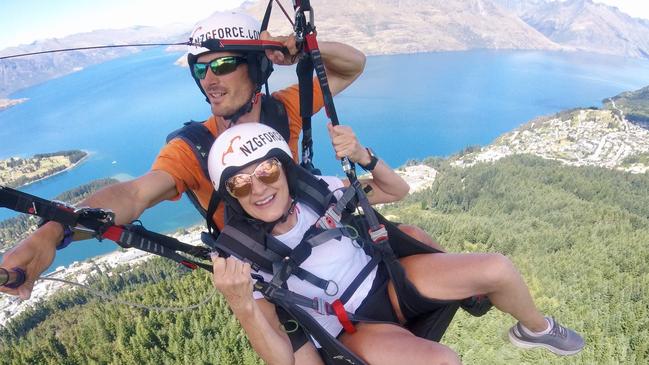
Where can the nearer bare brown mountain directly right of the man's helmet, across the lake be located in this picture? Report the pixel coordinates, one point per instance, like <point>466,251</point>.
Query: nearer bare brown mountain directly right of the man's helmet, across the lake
<point>409,26</point>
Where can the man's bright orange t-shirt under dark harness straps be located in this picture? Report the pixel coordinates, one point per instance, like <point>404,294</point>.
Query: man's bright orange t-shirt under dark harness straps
<point>178,159</point>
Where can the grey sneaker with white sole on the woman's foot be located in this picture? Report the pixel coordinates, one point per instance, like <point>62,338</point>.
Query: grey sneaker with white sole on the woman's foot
<point>560,340</point>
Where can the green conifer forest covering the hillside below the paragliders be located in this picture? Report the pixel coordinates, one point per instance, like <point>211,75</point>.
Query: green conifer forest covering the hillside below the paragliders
<point>579,235</point>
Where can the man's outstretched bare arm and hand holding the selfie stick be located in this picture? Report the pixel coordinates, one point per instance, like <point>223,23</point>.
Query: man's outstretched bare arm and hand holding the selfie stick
<point>128,200</point>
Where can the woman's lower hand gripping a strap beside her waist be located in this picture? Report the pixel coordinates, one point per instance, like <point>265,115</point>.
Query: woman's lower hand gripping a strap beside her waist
<point>232,278</point>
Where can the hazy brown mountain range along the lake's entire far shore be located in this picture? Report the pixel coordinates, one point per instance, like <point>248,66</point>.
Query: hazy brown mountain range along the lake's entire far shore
<point>378,27</point>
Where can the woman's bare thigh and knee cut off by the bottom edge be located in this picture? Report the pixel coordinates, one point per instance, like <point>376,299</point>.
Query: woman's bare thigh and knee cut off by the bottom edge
<point>397,346</point>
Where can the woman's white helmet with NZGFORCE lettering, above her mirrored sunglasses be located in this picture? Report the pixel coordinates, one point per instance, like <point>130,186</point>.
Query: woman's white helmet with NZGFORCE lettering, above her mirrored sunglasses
<point>241,145</point>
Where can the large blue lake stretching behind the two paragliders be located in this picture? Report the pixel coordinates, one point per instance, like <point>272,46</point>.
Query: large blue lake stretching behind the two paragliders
<point>404,106</point>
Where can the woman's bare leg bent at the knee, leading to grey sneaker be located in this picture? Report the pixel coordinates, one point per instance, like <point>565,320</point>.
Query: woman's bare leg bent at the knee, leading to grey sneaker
<point>457,276</point>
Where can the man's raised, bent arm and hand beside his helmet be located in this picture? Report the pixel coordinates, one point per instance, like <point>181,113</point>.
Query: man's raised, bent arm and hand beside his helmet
<point>343,63</point>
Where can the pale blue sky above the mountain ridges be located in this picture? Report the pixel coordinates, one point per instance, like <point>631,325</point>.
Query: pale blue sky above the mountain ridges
<point>23,21</point>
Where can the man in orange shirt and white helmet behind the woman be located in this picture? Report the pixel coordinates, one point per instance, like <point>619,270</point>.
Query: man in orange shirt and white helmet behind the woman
<point>226,78</point>
